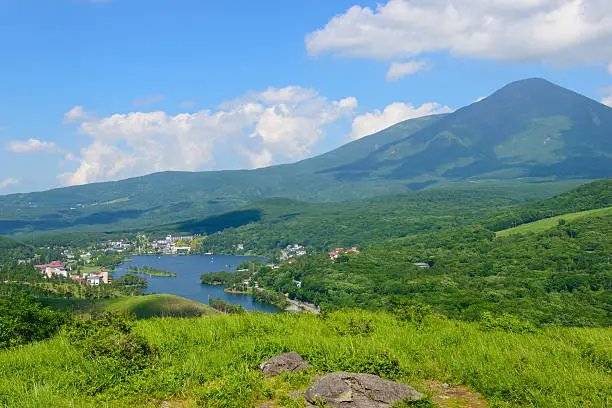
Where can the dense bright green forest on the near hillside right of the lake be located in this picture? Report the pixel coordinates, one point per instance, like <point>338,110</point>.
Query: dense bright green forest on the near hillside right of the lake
<point>560,277</point>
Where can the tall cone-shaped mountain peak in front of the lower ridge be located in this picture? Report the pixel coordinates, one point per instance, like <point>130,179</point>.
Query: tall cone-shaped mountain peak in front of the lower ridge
<point>530,128</point>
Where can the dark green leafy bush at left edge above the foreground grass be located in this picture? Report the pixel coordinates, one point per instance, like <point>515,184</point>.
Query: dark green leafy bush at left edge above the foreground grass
<point>23,320</point>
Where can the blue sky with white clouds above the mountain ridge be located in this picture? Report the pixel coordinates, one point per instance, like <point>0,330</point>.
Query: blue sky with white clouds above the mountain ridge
<point>104,90</point>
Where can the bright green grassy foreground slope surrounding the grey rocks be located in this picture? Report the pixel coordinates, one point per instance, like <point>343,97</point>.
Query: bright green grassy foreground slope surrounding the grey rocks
<point>213,362</point>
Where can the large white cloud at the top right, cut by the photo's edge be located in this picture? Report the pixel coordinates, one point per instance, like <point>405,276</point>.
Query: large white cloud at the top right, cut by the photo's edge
<point>553,31</point>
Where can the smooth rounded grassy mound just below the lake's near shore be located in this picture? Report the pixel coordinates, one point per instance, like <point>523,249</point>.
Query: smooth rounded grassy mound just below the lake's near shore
<point>142,306</point>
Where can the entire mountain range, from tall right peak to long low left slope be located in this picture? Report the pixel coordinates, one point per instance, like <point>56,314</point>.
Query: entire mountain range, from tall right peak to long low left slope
<point>529,130</point>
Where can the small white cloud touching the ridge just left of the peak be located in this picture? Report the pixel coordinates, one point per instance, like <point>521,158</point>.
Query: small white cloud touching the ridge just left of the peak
<point>372,122</point>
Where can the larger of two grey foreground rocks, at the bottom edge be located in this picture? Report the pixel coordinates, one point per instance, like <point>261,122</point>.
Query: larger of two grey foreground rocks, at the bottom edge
<point>347,390</point>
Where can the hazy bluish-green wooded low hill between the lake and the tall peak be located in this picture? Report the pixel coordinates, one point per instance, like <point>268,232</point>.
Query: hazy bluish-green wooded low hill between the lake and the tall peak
<point>364,223</point>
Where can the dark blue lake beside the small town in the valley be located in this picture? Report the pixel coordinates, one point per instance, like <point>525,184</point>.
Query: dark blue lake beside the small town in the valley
<point>187,282</point>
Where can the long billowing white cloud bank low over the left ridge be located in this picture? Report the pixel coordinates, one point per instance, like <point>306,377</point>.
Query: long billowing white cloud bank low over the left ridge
<point>261,128</point>
